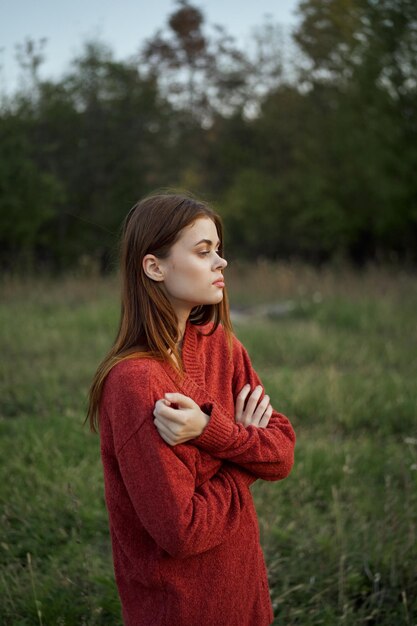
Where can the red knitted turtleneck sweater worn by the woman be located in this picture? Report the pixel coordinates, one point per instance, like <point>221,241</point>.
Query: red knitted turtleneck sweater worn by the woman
<point>184,529</point>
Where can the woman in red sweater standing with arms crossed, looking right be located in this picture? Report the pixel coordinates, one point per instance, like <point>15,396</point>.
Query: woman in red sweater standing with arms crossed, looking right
<point>185,430</point>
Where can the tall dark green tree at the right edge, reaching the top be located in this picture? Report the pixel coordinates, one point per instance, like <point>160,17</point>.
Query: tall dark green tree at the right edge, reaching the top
<point>361,55</point>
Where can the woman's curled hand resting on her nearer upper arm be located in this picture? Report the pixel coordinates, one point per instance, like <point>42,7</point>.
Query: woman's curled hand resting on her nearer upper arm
<point>181,423</point>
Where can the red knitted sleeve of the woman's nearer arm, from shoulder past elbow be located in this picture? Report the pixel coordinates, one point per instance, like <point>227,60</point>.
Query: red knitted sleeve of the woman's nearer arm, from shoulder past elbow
<point>183,519</point>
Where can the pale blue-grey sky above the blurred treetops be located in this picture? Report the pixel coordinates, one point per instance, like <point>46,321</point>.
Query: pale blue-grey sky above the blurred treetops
<point>123,25</point>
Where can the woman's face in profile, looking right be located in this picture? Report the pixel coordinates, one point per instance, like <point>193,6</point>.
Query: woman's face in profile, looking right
<point>193,271</point>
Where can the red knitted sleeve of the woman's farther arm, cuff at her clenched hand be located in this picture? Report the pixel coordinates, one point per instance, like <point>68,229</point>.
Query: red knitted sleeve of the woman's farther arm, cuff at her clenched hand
<point>268,453</point>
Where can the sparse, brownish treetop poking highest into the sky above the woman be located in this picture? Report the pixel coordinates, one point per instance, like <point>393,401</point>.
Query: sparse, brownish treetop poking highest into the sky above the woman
<point>199,71</point>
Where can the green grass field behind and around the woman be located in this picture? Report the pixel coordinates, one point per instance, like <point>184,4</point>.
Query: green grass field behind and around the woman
<point>339,535</point>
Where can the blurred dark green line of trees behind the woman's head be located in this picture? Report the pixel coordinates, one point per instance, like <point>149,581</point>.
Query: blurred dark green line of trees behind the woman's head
<point>306,145</point>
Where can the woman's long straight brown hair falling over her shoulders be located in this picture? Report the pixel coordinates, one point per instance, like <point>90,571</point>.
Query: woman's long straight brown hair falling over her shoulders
<point>148,325</point>
